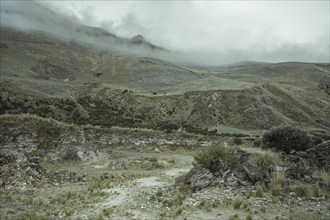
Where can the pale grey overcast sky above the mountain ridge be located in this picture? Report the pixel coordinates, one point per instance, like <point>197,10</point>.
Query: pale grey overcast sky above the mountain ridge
<point>222,30</point>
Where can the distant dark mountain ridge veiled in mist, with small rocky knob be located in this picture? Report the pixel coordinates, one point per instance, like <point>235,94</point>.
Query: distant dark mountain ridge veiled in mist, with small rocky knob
<point>29,16</point>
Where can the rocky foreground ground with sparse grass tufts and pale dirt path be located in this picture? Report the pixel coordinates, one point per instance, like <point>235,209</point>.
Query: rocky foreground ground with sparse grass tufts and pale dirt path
<point>144,174</point>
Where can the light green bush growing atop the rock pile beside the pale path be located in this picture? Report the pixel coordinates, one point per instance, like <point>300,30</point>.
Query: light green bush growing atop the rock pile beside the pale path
<point>215,158</point>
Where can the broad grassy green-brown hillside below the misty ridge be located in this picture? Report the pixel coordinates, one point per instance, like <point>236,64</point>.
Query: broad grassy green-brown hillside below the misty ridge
<point>76,82</point>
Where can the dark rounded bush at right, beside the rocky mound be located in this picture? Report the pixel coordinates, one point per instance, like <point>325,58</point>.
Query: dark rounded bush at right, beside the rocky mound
<point>286,138</point>
